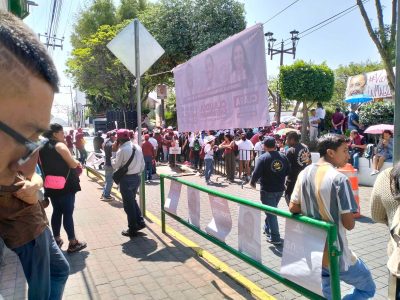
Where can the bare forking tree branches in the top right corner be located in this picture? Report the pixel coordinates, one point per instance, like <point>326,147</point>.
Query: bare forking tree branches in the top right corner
<point>384,37</point>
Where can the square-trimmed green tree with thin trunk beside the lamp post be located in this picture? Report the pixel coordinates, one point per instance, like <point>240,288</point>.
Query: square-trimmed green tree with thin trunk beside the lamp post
<point>308,83</point>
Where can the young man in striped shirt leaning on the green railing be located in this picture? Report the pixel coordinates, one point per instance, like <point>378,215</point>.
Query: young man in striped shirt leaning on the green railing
<point>323,193</point>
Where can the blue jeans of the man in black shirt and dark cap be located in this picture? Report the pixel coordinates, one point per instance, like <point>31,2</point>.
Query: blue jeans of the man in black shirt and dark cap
<point>271,221</point>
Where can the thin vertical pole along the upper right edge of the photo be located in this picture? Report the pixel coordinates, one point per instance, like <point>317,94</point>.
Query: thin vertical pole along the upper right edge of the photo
<point>396,141</point>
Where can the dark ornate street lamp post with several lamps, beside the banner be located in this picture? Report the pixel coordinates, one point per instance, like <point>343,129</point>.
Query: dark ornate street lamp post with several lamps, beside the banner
<point>272,51</point>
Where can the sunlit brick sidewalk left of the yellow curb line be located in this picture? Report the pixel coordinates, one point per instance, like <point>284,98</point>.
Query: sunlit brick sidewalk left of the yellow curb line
<point>150,266</point>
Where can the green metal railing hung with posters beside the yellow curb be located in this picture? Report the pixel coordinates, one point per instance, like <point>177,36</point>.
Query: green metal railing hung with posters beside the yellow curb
<point>328,227</point>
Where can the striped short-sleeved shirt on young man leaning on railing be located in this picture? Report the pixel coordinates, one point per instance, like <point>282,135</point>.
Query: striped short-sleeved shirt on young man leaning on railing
<point>324,193</point>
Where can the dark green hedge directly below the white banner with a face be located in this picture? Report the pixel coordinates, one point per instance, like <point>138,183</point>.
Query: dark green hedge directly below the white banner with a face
<point>377,113</point>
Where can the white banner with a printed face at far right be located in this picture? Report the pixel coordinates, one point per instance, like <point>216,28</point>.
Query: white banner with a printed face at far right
<point>374,84</point>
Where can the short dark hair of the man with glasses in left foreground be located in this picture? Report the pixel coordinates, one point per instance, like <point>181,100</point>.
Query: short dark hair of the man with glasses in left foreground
<point>22,43</point>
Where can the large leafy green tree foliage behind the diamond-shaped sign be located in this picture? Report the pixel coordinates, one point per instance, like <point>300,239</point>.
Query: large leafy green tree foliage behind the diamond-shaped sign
<point>182,27</point>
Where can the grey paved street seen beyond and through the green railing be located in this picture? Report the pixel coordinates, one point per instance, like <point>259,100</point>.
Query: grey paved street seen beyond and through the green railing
<point>368,240</point>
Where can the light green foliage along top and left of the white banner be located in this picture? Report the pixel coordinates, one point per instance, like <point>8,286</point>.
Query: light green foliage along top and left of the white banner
<point>342,73</point>
